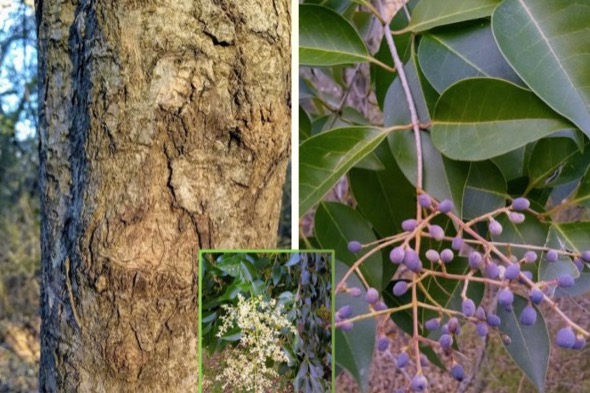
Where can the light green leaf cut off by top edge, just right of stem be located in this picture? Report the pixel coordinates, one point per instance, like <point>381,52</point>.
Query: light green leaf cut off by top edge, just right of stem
<point>433,13</point>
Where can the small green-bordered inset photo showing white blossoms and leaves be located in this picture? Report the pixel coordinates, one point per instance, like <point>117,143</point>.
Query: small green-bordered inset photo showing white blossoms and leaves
<point>266,321</point>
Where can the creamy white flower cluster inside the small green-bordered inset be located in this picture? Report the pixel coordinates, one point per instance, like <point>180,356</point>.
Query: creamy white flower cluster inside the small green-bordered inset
<point>261,322</point>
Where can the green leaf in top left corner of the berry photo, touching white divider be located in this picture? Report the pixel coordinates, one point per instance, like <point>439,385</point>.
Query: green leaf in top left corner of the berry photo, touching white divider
<point>327,39</point>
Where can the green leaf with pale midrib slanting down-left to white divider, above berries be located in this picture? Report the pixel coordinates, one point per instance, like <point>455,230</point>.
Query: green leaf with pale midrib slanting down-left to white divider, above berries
<point>325,158</point>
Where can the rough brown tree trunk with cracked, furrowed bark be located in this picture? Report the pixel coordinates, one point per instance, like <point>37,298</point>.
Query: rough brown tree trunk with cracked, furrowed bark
<point>164,130</point>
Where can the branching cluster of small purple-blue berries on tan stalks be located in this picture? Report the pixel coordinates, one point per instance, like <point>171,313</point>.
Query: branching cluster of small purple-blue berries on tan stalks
<point>486,261</point>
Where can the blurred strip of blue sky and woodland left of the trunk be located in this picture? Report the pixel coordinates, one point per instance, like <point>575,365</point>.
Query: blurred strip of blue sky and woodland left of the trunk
<point>19,199</point>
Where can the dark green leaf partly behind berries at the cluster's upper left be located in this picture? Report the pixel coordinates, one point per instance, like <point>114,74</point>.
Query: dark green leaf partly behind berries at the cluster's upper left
<point>335,225</point>
